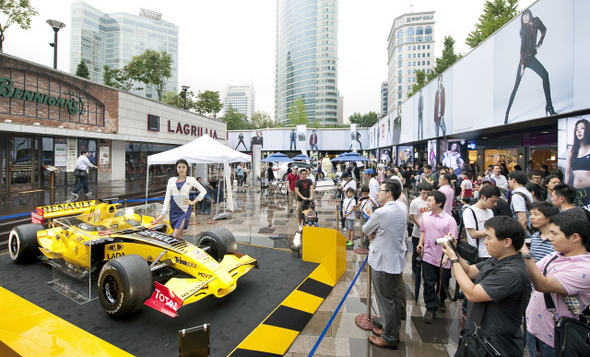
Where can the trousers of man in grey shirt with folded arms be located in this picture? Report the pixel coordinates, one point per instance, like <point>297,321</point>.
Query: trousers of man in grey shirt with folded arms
<point>389,302</point>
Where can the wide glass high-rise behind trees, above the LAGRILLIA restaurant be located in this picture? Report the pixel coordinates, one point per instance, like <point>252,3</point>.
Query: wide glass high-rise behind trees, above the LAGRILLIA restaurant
<point>113,39</point>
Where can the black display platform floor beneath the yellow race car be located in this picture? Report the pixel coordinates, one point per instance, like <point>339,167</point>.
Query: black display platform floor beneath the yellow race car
<point>151,333</point>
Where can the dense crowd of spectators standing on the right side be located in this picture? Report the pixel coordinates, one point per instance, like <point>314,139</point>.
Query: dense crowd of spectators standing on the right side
<point>531,242</point>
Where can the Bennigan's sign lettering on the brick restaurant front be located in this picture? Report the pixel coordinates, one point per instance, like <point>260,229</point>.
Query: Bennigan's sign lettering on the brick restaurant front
<point>74,105</point>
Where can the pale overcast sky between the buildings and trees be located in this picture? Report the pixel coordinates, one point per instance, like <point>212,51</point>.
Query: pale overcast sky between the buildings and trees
<point>233,41</point>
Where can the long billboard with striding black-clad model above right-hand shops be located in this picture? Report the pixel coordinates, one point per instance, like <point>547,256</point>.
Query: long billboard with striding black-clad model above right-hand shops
<point>534,66</point>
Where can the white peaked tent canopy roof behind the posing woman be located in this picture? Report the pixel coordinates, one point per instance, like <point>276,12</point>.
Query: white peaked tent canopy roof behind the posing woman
<point>203,150</point>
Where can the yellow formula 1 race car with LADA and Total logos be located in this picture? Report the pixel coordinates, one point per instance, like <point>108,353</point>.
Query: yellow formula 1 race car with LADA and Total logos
<point>139,262</point>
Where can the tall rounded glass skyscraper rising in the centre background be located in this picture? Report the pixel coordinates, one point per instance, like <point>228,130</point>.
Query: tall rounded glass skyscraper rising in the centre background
<point>307,59</point>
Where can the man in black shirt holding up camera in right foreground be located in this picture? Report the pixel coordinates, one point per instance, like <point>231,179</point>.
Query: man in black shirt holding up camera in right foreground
<point>499,293</point>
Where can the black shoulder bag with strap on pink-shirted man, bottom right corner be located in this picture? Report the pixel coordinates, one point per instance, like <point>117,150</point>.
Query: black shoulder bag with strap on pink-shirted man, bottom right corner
<point>572,335</point>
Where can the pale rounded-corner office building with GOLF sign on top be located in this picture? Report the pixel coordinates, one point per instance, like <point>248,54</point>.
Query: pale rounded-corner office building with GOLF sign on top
<point>410,48</point>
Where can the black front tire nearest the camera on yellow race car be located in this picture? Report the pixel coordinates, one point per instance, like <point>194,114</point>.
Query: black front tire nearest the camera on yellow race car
<point>124,284</point>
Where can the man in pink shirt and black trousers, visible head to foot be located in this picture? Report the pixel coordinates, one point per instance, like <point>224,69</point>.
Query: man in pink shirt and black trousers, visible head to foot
<point>435,224</point>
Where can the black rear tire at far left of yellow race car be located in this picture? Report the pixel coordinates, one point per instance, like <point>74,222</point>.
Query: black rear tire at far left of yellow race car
<point>23,246</point>
